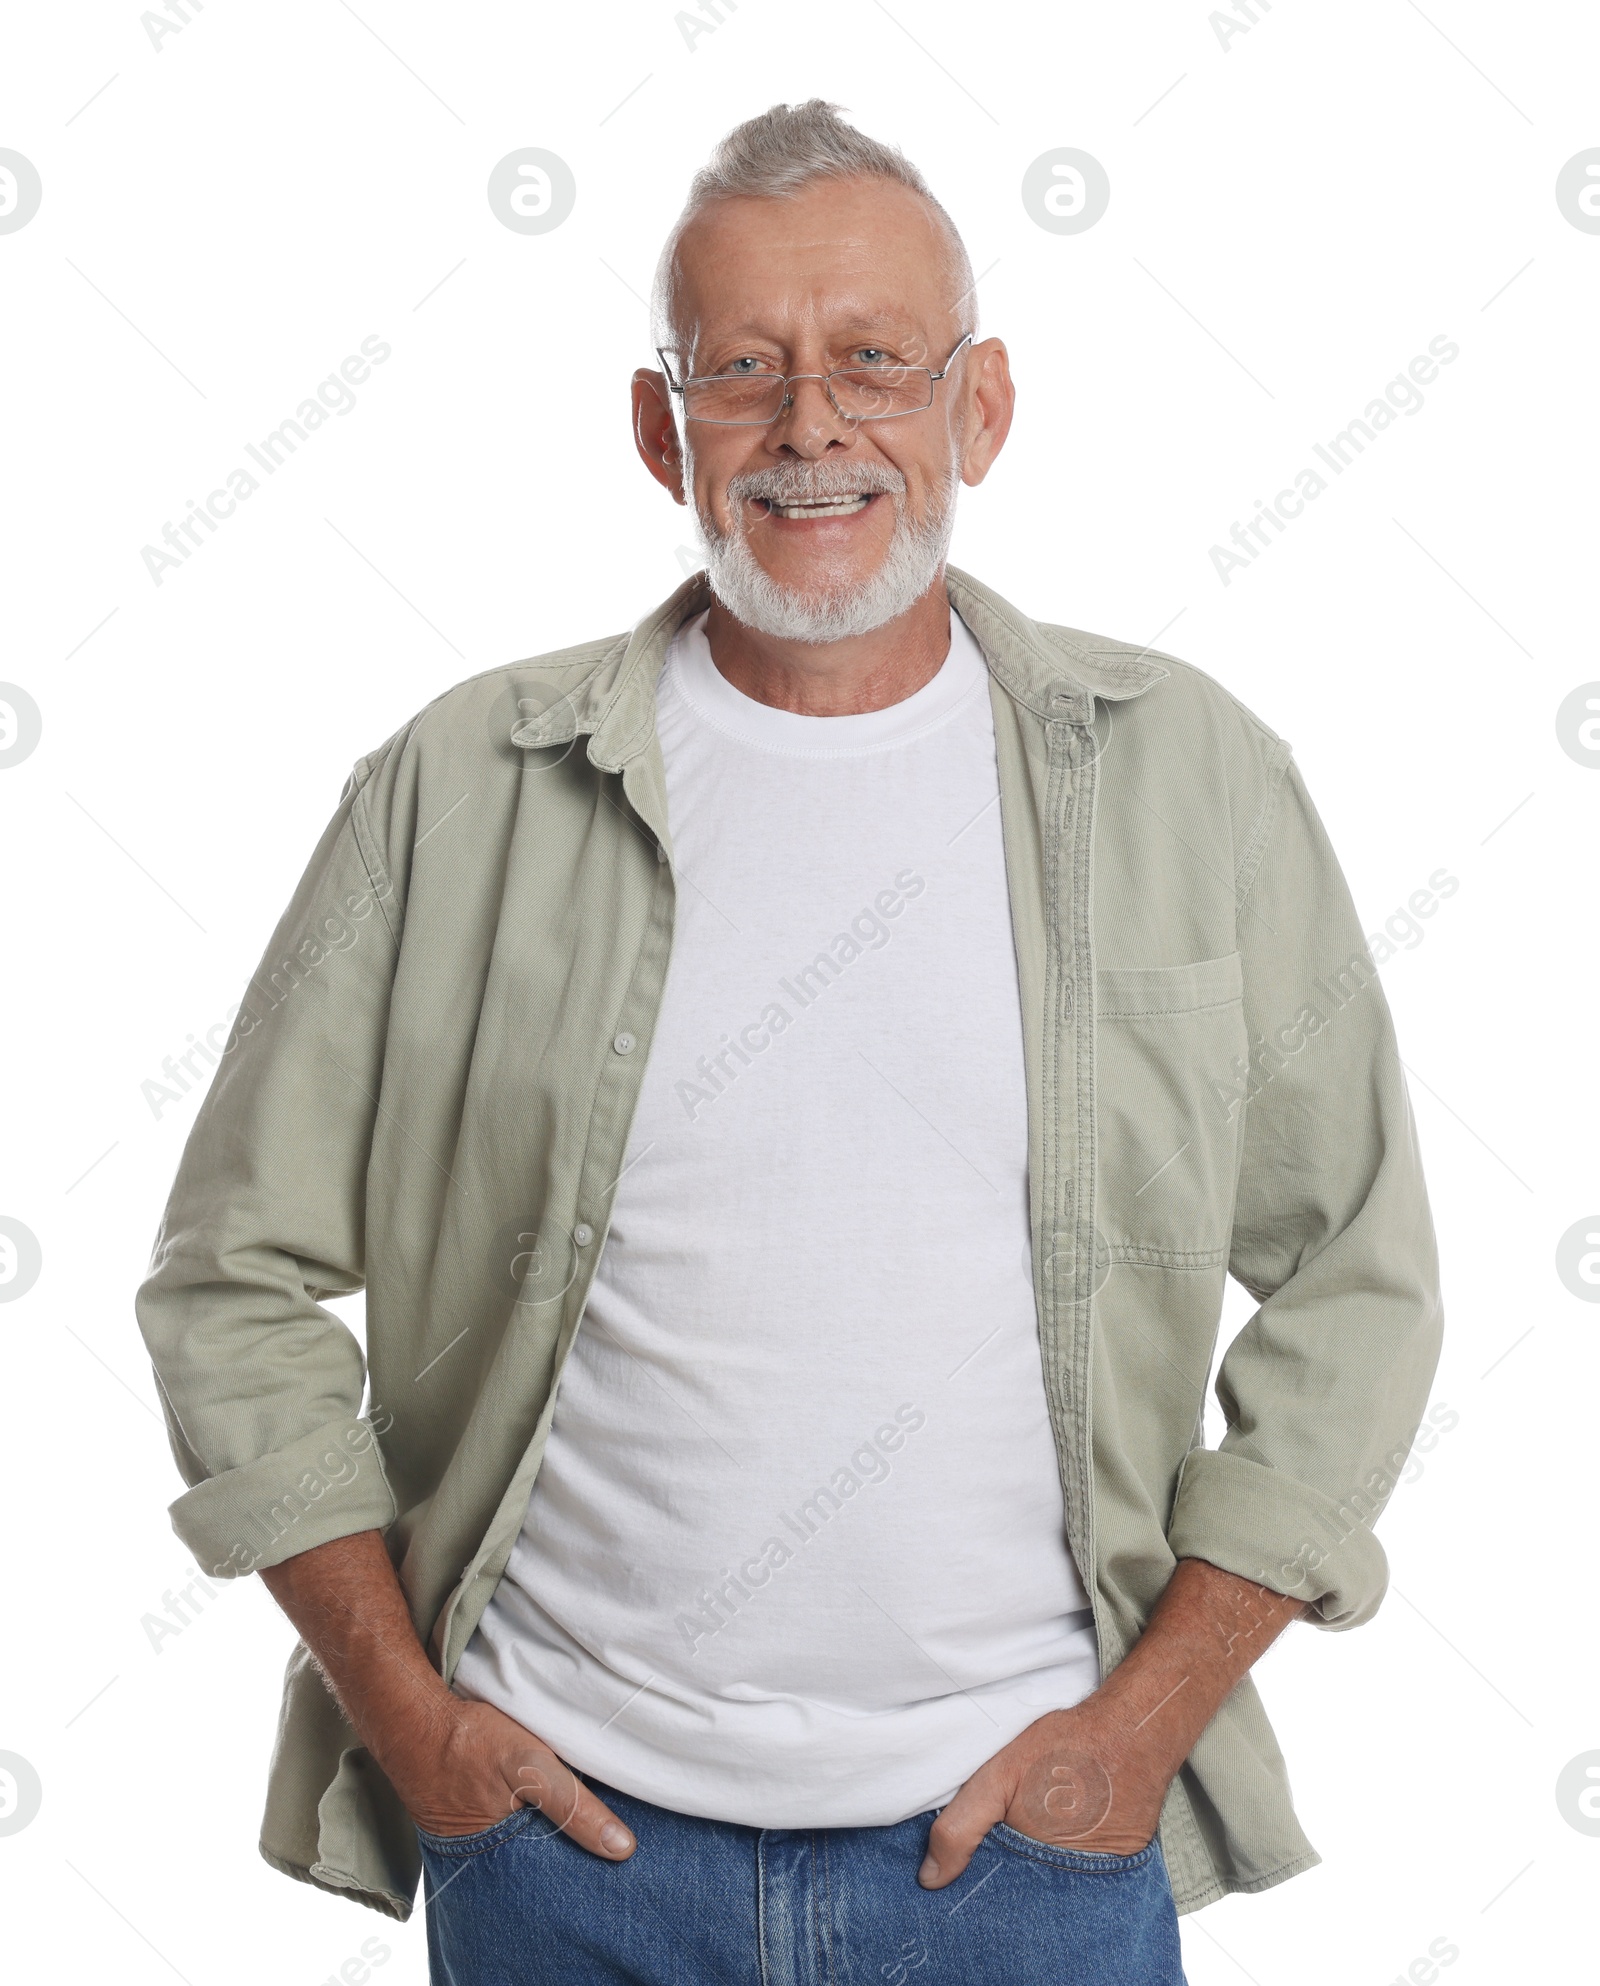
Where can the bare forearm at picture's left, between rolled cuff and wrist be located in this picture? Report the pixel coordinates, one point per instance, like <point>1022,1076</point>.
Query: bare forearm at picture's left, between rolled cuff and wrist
<point>350,1612</point>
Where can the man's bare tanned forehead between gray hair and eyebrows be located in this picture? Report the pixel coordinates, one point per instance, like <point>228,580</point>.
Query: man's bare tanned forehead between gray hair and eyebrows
<point>841,251</point>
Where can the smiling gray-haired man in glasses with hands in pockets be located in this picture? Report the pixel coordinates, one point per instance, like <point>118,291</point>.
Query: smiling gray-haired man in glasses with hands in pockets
<point>793,1081</point>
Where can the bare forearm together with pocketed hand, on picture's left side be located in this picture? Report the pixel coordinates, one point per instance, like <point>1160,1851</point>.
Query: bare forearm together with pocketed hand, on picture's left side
<point>456,1767</point>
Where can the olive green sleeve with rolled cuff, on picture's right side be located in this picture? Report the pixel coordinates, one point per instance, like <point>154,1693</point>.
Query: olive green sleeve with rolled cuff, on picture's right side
<point>1327,1383</point>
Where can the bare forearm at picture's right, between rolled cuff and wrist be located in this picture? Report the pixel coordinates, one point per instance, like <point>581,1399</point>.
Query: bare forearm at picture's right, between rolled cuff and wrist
<point>1202,1639</point>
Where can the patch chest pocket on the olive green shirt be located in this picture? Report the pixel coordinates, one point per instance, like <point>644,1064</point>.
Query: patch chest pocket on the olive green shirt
<point>1168,1121</point>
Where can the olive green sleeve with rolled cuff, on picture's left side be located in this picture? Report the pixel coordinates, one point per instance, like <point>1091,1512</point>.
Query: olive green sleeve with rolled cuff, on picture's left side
<point>263,1387</point>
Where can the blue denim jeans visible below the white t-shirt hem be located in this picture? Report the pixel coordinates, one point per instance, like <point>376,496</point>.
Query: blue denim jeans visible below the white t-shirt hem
<point>706,1904</point>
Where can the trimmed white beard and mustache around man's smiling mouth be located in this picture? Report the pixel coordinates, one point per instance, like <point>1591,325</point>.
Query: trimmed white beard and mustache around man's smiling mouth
<point>785,613</point>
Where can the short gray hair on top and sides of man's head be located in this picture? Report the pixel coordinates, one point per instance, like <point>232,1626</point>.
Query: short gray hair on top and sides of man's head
<point>777,156</point>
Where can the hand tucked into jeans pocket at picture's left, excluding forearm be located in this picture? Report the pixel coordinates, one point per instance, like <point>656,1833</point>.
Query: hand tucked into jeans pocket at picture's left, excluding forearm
<point>475,1767</point>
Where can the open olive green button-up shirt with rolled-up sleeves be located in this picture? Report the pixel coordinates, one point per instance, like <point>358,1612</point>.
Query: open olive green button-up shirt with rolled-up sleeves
<point>430,1085</point>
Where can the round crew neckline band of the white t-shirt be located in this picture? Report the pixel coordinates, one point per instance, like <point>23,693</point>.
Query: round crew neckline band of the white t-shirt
<point>765,728</point>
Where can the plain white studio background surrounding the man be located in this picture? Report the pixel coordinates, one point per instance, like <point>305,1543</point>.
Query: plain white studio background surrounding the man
<point>1291,223</point>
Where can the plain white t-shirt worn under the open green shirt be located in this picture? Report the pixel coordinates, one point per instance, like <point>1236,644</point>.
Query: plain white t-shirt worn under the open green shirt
<point>795,1556</point>
